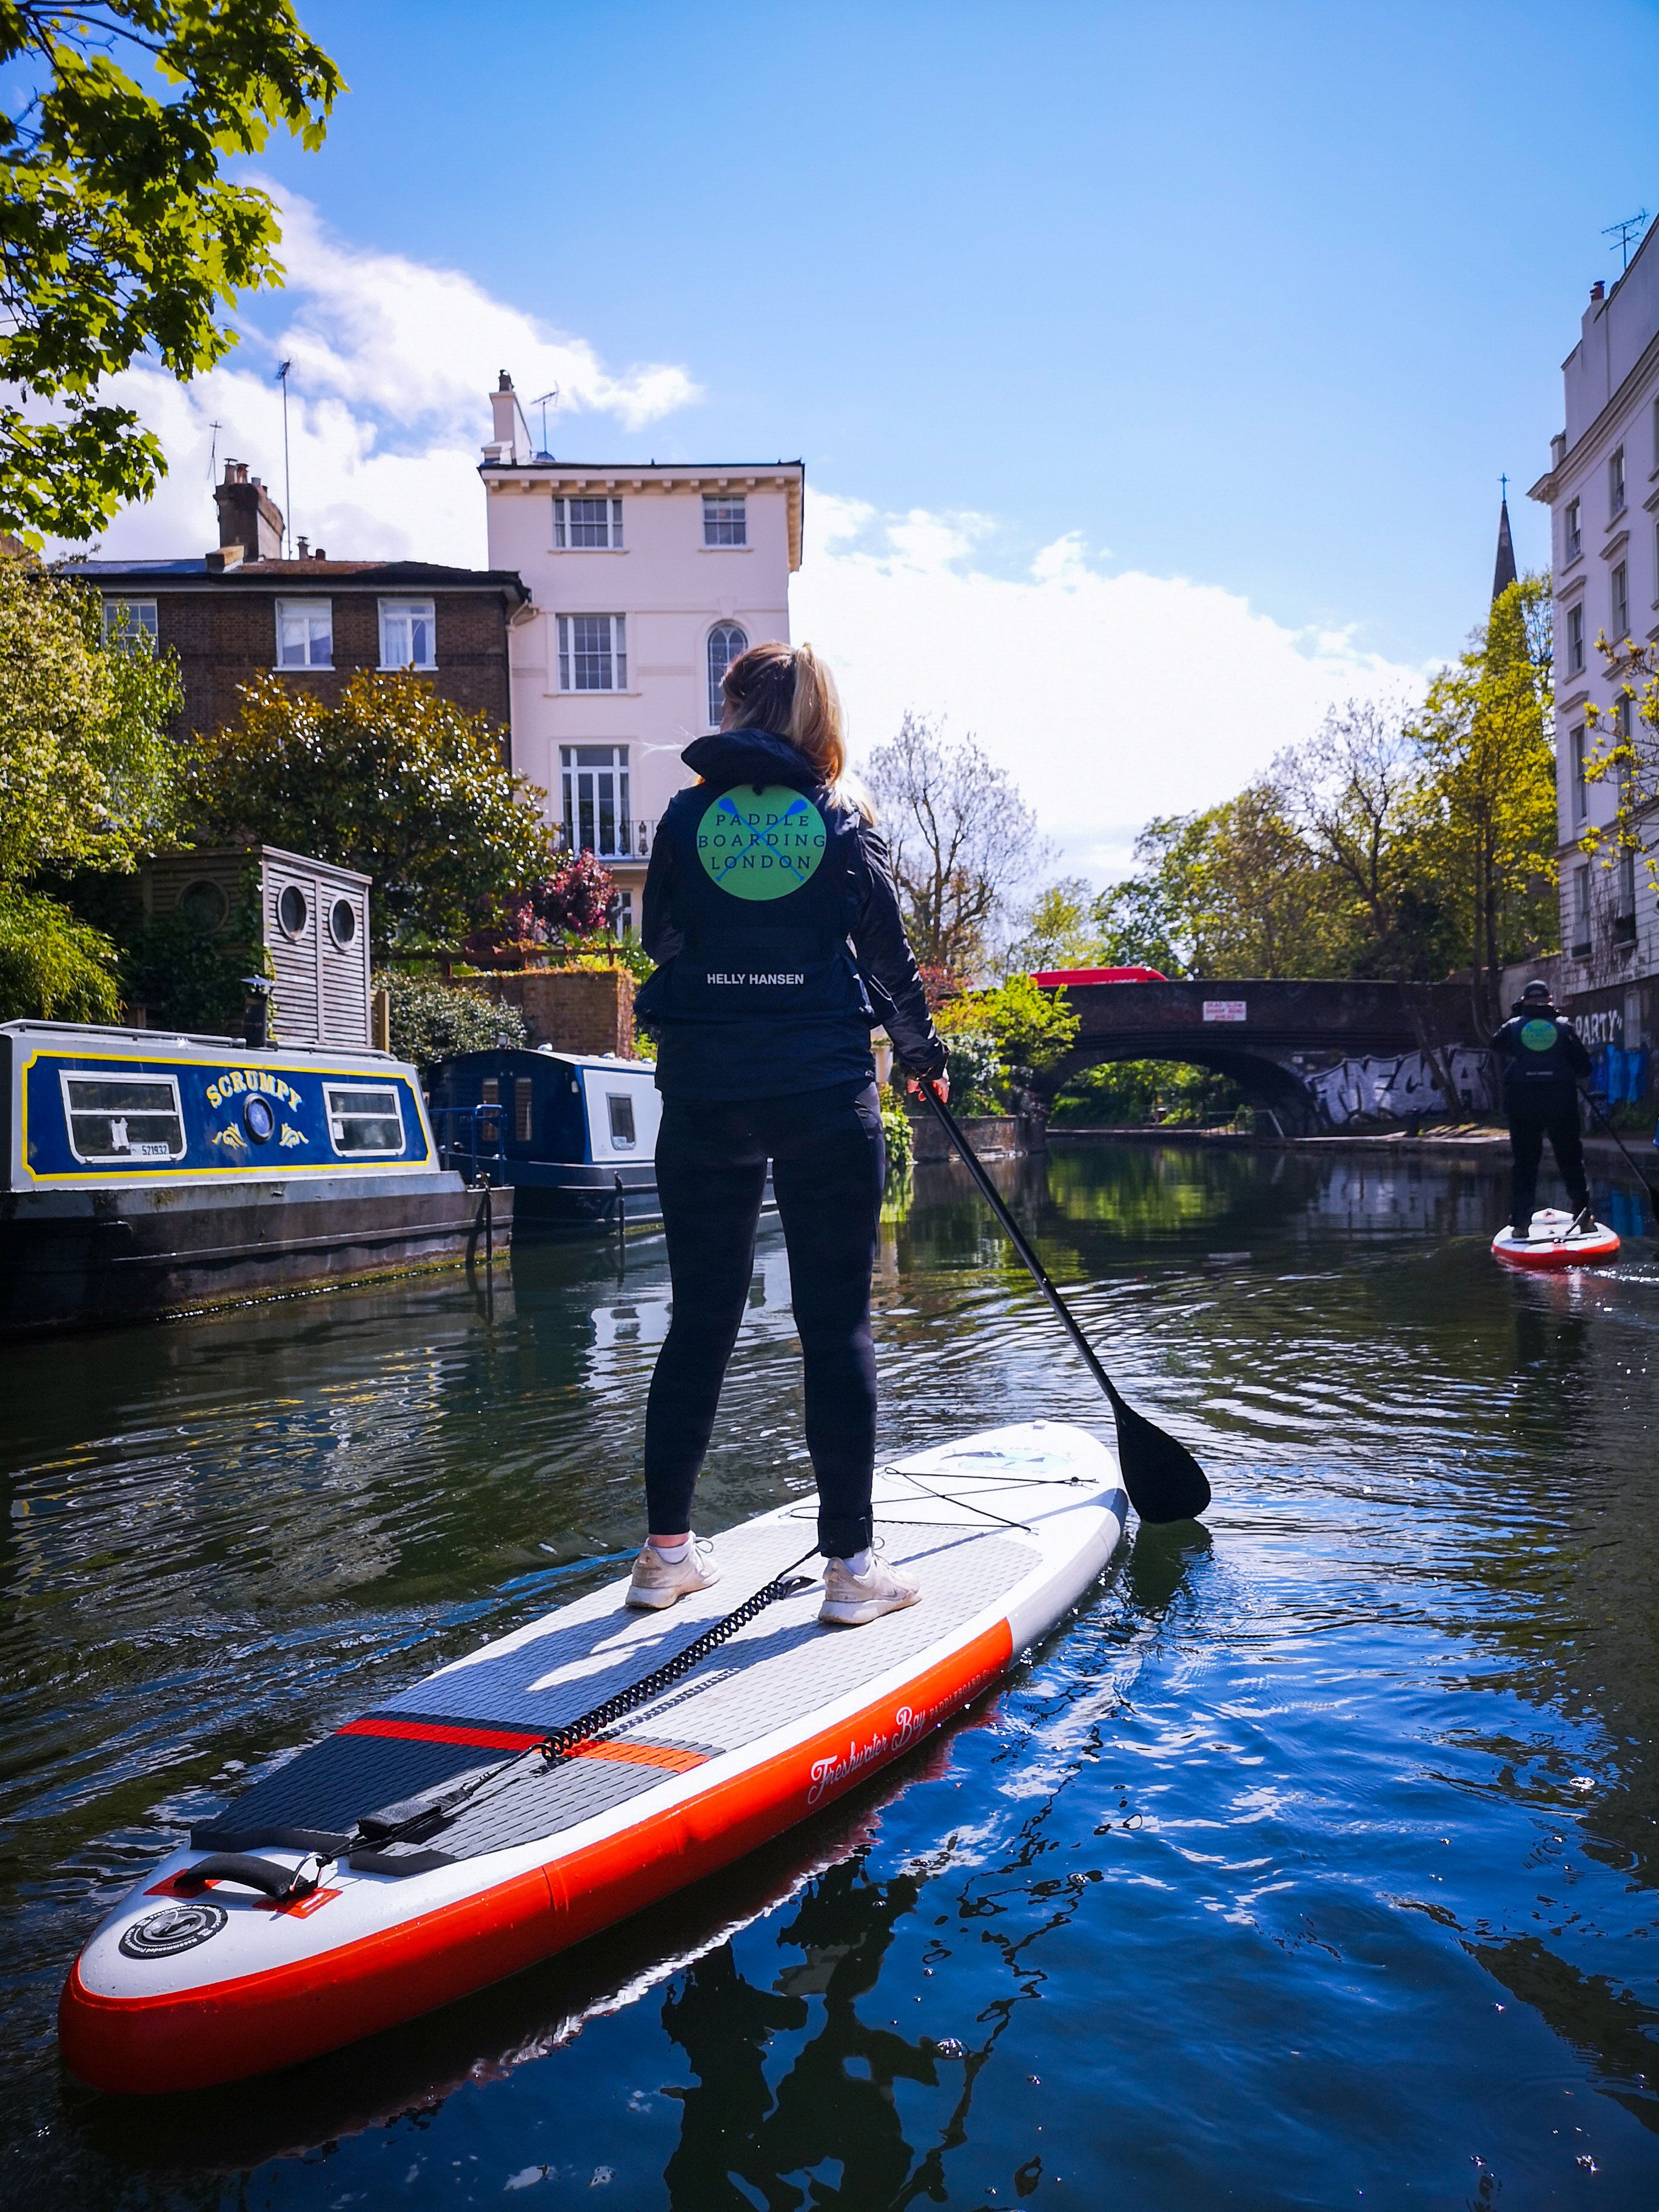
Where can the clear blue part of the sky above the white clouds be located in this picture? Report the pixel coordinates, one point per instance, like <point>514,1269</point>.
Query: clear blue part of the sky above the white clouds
<point>1264,295</point>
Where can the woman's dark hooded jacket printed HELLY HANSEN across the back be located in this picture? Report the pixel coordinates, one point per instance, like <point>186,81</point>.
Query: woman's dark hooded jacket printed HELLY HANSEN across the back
<point>773,917</point>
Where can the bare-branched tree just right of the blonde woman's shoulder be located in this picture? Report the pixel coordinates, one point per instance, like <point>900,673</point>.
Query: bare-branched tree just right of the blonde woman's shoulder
<point>961,842</point>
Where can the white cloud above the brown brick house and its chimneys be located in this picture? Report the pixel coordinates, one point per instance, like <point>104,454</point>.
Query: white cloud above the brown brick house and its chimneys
<point>388,406</point>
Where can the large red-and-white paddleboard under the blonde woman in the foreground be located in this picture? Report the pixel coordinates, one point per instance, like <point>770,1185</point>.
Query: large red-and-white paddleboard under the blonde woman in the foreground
<point>448,1850</point>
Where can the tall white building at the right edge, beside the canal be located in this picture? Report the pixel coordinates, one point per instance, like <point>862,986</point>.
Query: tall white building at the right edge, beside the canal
<point>1603,490</point>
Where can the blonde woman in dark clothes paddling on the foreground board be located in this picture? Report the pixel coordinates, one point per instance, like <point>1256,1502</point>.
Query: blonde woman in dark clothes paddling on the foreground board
<point>773,917</point>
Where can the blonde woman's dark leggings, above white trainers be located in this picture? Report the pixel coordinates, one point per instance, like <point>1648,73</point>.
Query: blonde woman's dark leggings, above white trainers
<point>828,1167</point>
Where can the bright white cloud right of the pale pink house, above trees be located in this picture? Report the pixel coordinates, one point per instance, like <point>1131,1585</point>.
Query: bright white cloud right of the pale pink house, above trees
<point>1107,696</point>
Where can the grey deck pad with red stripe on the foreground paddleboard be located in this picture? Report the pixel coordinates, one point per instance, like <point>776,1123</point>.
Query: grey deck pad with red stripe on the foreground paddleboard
<point>775,1669</point>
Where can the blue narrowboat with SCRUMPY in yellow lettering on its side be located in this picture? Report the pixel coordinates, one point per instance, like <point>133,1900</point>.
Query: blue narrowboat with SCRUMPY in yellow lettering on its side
<point>145,1173</point>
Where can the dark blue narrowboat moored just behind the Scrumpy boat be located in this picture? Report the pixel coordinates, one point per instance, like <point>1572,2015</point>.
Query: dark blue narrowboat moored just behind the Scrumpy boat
<point>574,1136</point>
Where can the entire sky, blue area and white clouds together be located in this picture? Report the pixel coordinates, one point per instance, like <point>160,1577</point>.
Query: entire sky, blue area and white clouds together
<point>1154,368</point>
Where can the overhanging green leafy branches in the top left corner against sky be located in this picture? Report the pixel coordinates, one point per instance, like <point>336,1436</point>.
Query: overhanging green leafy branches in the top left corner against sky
<point>118,231</point>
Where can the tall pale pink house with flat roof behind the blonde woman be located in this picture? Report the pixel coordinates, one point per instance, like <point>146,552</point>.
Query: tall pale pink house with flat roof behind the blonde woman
<point>647,578</point>
